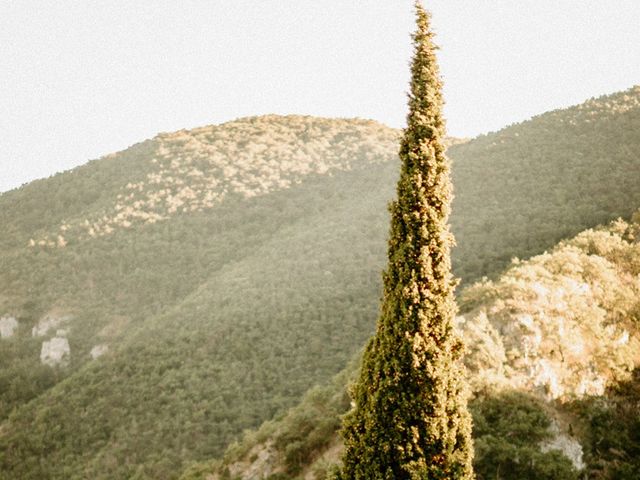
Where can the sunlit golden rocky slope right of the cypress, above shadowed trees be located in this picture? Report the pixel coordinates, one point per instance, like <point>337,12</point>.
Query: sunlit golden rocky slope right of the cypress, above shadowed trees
<point>549,326</point>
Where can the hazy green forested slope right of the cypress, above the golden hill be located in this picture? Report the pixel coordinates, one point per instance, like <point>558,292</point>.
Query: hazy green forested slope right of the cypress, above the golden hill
<point>530,185</point>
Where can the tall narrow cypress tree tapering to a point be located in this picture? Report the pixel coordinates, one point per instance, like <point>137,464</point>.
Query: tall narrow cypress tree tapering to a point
<point>410,419</point>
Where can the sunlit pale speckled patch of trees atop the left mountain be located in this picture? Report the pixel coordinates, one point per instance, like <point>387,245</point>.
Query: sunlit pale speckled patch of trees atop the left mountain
<point>194,170</point>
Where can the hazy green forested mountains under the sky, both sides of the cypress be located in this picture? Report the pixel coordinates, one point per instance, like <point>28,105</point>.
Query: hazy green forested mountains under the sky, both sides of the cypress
<point>156,302</point>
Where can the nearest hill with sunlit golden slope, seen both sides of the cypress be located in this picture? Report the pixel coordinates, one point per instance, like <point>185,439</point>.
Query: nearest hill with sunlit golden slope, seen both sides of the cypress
<point>553,349</point>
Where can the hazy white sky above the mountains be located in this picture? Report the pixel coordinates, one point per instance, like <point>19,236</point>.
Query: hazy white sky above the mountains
<point>79,79</point>
